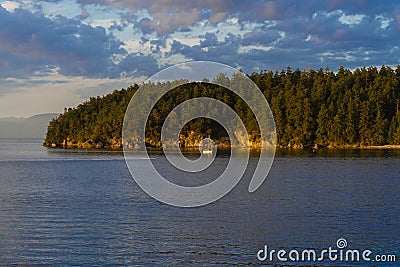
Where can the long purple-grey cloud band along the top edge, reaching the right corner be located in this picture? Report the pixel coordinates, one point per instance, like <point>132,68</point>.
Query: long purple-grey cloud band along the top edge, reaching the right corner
<point>172,15</point>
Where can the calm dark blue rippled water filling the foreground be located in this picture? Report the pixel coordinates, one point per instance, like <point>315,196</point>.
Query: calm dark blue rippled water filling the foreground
<point>82,208</point>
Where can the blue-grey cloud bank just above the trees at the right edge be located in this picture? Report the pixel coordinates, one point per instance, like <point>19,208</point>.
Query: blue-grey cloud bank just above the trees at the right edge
<point>332,43</point>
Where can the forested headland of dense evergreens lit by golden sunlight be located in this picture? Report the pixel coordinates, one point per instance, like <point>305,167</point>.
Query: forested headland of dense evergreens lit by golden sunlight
<point>311,108</point>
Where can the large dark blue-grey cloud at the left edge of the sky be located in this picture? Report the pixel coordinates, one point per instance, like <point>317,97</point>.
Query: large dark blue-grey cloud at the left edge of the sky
<point>31,42</point>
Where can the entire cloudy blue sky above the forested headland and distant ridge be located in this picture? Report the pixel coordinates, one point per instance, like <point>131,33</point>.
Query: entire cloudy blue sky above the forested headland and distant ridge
<point>58,53</point>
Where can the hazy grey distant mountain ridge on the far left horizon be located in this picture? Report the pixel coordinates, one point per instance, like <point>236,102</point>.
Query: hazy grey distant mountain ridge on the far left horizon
<point>32,127</point>
